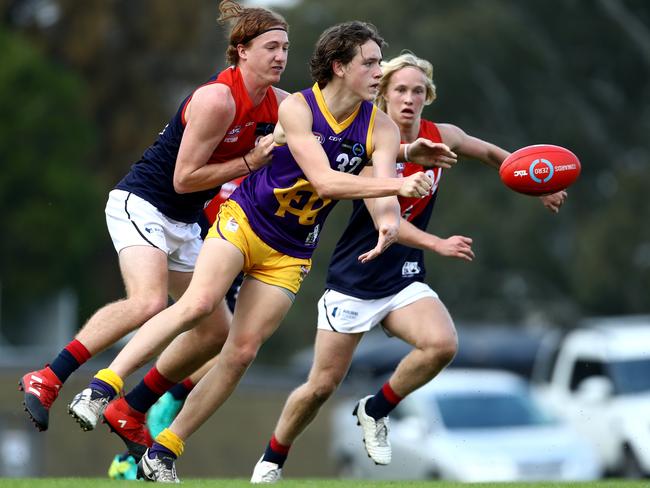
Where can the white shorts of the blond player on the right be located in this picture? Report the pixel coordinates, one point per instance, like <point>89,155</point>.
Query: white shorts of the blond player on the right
<point>350,315</point>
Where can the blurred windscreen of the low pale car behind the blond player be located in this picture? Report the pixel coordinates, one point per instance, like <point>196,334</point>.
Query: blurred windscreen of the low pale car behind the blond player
<point>489,410</point>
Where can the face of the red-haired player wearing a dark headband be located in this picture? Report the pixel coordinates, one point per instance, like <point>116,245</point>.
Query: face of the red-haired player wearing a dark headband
<point>267,55</point>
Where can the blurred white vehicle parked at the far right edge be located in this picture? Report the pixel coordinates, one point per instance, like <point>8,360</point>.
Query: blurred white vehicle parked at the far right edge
<point>597,378</point>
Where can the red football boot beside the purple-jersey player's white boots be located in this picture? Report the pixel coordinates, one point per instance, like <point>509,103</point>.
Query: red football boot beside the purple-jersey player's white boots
<point>130,425</point>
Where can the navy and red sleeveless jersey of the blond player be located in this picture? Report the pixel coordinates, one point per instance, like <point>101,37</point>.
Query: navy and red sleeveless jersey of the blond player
<point>399,265</point>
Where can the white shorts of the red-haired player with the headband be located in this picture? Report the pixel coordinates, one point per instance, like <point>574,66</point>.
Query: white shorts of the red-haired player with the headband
<point>133,221</point>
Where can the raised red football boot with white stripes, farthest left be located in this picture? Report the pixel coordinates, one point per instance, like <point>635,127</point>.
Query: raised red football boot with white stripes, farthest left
<point>41,389</point>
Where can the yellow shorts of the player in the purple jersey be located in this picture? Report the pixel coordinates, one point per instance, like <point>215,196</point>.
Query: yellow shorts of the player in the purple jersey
<point>261,261</point>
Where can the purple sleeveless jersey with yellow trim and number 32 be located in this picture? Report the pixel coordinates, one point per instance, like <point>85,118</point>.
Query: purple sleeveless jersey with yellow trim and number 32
<point>282,207</point>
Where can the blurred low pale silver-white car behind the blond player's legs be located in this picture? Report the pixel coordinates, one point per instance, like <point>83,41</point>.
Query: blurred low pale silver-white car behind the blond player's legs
<point>469,426</point>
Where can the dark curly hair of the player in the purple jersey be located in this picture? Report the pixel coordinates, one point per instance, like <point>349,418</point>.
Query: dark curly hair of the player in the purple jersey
<point>340,43</point>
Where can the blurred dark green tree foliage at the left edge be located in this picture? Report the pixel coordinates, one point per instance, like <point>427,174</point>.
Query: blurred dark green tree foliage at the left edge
<point>51,216</point>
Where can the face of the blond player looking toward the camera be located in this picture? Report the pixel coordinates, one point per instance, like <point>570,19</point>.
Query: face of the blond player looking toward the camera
<point>405,96</point>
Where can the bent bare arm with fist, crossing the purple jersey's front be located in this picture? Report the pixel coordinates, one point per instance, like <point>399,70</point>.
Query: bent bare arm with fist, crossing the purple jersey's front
<point>296,122</point>
